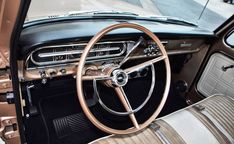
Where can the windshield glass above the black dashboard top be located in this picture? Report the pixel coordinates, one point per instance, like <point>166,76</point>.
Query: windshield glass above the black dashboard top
<point>194,11</point>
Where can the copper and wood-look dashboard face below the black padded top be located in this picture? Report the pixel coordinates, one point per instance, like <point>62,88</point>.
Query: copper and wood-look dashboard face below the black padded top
<point>62,59</point>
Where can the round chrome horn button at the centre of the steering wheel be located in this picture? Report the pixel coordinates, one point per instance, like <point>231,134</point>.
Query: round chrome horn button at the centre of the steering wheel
<point>119,78</point>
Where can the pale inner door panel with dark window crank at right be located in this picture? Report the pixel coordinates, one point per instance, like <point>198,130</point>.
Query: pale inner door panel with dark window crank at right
<point>218,76</point>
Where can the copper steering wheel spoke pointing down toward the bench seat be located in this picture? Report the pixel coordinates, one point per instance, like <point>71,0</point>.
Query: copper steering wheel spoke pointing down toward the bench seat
<point>124,100</point>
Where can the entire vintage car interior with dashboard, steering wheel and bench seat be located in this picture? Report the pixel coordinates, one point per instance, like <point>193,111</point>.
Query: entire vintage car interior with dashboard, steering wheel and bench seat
<point>122,80</point>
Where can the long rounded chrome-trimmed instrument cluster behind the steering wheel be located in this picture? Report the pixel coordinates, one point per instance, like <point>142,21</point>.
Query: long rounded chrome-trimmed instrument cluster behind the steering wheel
<point>58,54</point>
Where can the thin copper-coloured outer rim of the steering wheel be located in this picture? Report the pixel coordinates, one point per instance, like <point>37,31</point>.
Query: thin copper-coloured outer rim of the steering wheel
<point>80,78</point>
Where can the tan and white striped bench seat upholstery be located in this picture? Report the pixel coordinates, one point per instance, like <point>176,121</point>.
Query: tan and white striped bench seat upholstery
<point>209,121</point>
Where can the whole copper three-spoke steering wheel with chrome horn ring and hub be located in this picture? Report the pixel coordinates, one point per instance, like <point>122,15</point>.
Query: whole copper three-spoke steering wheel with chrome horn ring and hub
<point>115,77</point>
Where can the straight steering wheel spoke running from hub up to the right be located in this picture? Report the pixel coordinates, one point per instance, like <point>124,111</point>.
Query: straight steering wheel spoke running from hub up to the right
<point>144,64</point>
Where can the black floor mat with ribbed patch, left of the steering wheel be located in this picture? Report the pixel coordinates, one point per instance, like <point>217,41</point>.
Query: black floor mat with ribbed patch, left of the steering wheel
<point>65,121</point>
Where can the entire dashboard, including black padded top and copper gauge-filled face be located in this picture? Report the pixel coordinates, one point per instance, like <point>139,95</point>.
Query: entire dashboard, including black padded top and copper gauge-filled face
<point>49,51</point>
